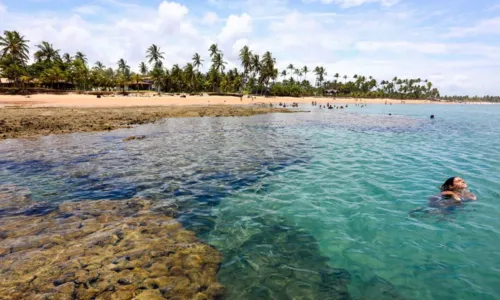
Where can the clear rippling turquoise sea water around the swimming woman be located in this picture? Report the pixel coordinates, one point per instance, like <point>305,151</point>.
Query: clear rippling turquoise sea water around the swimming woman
<point>303,206</point>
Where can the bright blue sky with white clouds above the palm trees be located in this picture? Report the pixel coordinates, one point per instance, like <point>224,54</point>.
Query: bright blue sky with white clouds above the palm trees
<point>453,43</point>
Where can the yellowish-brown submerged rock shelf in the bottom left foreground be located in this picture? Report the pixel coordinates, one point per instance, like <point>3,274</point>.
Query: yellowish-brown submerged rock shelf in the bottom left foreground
<point>103,250</point>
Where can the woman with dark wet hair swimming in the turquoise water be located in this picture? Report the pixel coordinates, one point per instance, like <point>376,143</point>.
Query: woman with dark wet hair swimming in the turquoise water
<point>453,192</point>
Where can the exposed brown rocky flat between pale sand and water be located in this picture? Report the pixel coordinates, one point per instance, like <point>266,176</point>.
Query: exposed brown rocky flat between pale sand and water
<point>30,122</point>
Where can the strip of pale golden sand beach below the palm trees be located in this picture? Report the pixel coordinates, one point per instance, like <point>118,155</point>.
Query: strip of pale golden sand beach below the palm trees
<point>77,100</point>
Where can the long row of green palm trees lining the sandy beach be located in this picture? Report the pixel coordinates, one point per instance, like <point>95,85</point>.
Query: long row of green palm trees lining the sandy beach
<point>259,75</point>
